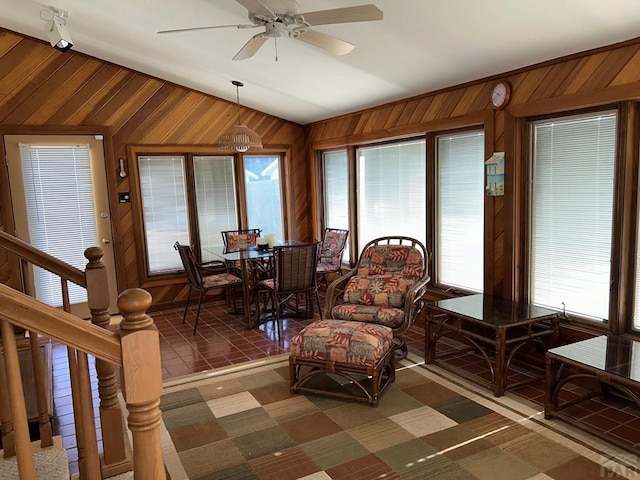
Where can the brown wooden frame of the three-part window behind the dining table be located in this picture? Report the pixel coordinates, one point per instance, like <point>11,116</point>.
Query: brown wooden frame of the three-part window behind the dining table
<point>188,152</point>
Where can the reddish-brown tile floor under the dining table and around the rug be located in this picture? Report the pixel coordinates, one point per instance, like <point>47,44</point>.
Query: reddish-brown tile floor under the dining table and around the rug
<point>223,340</point>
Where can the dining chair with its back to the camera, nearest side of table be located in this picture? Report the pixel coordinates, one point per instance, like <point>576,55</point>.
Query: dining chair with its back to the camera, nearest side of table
<point>294,275</point>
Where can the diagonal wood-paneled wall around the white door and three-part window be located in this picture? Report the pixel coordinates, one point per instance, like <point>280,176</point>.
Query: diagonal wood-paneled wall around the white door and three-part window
<point>46,91</point>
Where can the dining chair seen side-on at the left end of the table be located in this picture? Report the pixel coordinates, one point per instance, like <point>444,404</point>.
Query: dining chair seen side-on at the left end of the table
<point>203,278</point>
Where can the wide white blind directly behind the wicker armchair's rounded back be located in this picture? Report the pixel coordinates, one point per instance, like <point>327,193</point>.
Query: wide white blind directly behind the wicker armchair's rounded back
<point>392,191</point>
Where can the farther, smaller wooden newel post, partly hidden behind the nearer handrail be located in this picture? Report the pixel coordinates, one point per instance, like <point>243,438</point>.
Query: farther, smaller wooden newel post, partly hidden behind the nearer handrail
<point>115,458</point>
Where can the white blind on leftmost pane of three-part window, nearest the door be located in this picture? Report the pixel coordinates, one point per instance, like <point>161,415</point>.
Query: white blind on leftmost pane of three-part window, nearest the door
<point>164,210</point>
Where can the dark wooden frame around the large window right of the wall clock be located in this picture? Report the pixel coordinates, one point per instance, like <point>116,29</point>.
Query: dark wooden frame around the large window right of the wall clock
<point>625,219</point>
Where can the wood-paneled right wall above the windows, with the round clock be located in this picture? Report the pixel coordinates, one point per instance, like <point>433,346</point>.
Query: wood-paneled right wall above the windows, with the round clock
<point>599,77</point>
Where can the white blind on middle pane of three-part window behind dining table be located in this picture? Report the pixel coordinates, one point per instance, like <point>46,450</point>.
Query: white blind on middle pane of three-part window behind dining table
<point>215,199</point>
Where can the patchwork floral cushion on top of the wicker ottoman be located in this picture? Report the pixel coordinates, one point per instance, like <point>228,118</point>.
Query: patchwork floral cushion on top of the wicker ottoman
<point>354,343</point>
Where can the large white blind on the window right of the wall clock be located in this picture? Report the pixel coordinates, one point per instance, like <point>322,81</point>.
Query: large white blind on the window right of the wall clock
<point>572,214</point>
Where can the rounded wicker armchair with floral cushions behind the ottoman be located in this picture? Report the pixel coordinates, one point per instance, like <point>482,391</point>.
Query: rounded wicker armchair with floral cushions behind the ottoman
<point>385,287</point>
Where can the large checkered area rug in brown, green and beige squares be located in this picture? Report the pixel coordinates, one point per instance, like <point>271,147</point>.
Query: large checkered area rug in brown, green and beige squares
<point>245,424</point>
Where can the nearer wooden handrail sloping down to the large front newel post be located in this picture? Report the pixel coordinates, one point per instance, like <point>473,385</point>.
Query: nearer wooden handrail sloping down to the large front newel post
<point>30,314</point>
